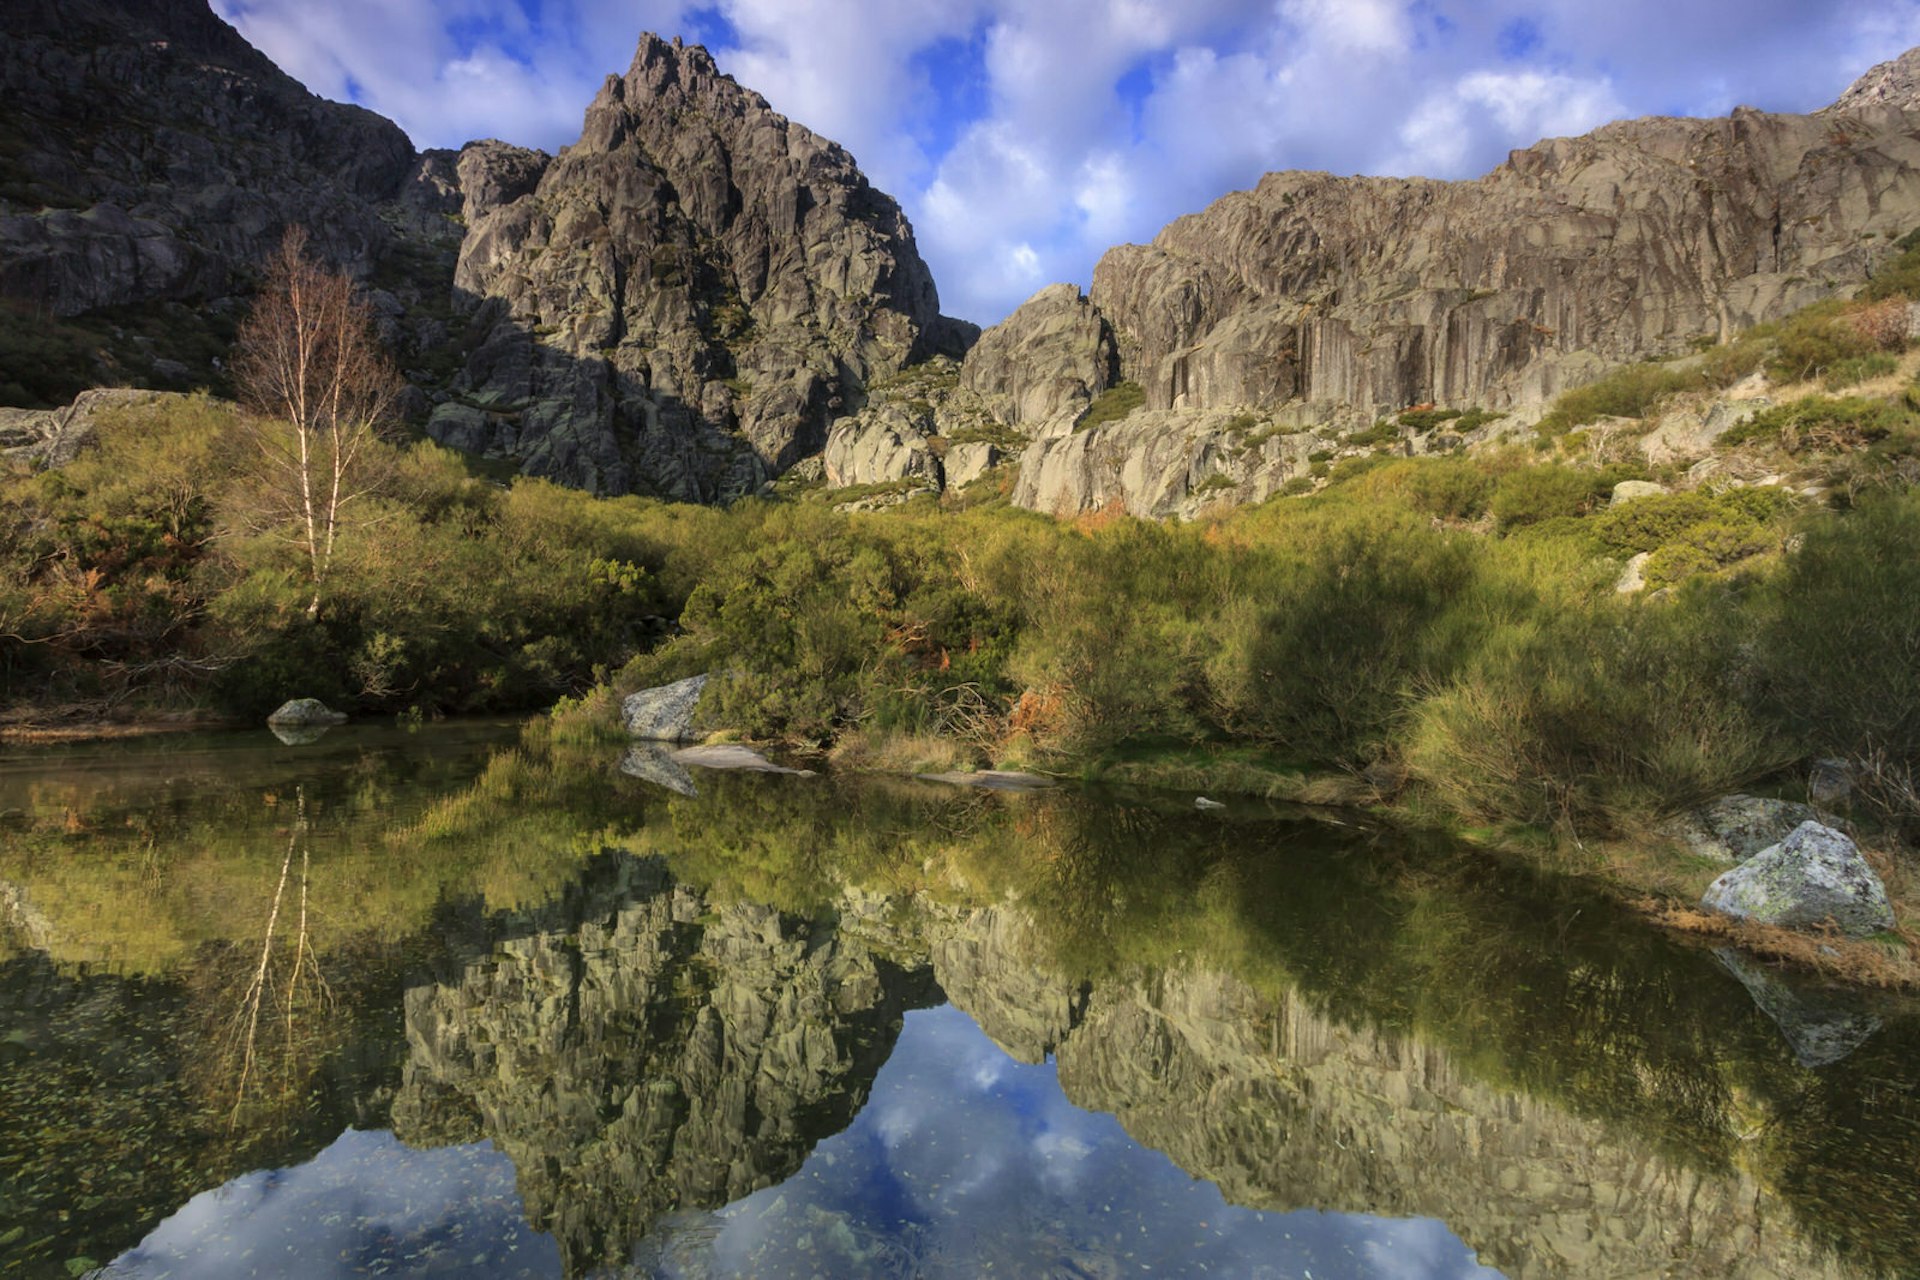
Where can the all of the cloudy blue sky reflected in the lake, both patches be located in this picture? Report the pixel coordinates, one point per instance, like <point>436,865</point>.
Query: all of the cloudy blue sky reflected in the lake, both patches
<point>963,1164</point>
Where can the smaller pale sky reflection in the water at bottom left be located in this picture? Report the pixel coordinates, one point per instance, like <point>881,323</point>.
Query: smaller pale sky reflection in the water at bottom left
<point>364,1204</point>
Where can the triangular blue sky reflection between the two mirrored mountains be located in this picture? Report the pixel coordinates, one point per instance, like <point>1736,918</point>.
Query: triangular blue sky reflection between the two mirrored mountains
<point>967,1160</point>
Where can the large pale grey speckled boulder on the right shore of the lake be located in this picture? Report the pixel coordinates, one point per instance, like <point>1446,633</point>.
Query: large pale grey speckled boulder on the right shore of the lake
<point>1810,880</point>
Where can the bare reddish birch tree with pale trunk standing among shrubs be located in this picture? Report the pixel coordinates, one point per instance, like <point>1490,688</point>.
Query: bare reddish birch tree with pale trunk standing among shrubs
<point>312,369</point>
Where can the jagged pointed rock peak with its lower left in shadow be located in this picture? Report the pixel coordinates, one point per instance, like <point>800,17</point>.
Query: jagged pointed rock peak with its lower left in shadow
<point>690,295</point>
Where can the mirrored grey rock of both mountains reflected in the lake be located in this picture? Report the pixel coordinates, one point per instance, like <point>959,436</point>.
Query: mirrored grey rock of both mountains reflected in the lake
<point>638,1049</point>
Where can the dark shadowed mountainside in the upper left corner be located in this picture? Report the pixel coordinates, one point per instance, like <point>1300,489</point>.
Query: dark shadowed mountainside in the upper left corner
<point>153,154</point>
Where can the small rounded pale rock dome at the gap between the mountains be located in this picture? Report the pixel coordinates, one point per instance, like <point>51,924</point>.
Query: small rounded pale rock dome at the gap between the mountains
<point>1045,364</point>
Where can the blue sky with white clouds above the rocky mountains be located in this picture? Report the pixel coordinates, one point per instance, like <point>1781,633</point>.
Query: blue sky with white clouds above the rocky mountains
<point>1024,137</point>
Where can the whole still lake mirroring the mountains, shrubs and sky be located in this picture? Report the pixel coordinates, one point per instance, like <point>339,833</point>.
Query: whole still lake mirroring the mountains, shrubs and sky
<point>468,1003</point>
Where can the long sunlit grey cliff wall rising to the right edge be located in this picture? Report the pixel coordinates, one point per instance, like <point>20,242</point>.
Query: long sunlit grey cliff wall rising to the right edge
<point>1320,302</point>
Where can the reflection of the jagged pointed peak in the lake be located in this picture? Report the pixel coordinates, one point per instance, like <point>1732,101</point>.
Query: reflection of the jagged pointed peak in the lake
<point>636,1053</point>
